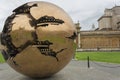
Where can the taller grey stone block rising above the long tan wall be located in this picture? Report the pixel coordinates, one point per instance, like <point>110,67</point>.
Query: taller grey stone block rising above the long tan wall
<point>110,20</point>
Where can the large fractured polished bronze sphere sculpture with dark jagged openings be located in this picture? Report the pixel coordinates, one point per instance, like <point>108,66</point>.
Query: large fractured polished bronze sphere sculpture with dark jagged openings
<point>38,39</point>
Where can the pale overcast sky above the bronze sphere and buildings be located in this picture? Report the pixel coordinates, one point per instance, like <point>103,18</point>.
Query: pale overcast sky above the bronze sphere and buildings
<point>87,12</point>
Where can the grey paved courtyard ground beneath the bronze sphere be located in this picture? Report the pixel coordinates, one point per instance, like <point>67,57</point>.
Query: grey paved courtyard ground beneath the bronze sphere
<point>75,70</point>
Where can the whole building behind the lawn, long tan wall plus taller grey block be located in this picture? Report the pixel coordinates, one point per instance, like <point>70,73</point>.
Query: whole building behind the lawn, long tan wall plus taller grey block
<point>106,36</point>
